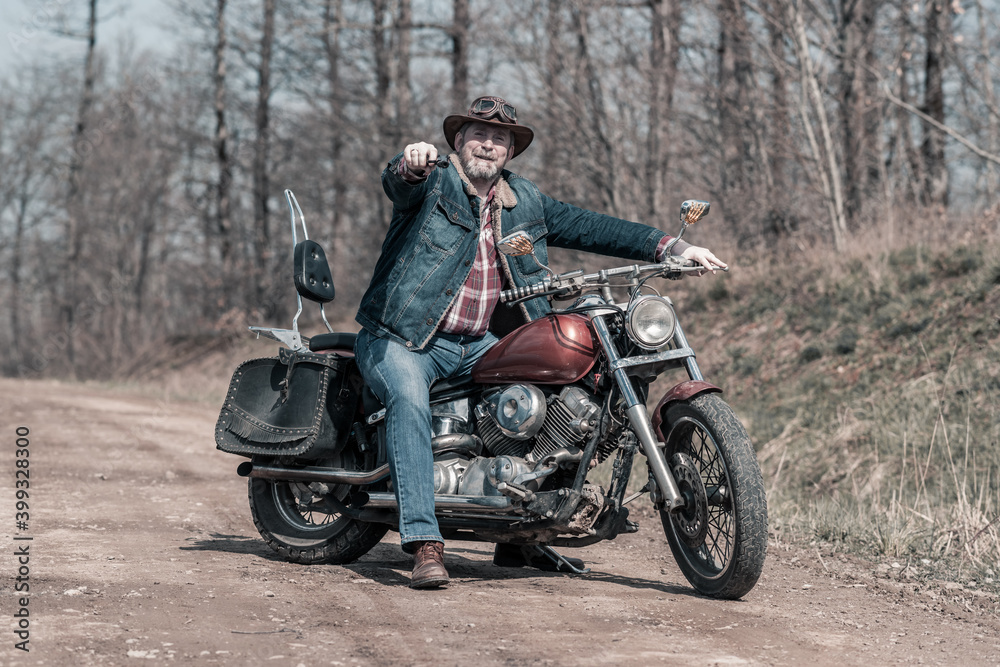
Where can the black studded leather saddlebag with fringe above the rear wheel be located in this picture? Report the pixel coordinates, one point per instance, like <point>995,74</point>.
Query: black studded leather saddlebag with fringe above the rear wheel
<point>301,405</point>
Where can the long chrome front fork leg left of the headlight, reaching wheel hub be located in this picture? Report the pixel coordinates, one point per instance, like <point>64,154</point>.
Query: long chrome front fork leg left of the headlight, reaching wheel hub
<point>643,428</point>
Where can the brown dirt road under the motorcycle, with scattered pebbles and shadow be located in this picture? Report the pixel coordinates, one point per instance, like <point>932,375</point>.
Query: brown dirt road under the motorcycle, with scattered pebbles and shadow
<point>142,549</point>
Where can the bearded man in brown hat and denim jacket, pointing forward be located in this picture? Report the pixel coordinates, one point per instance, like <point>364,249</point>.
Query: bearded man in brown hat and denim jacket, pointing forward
<point>426,313</point>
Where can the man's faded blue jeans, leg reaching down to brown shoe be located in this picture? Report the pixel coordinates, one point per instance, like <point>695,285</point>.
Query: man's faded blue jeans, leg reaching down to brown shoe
<point>401,378</point>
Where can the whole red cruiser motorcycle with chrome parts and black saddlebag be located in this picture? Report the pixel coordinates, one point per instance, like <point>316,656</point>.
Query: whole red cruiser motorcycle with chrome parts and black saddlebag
<point>516,443</point>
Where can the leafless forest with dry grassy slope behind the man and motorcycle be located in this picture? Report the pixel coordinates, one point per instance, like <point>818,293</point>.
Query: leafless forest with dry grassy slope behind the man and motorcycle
<point>849,148</point>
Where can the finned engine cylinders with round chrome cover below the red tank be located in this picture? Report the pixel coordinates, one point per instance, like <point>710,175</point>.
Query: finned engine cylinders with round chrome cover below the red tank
<point>519,421</point>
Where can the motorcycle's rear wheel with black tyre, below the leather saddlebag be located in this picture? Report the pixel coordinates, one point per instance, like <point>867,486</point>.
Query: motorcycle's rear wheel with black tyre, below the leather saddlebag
<point>298,520</point>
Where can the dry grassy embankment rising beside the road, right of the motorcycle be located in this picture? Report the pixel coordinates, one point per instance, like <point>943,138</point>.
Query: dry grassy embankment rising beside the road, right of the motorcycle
<point>870,384</point>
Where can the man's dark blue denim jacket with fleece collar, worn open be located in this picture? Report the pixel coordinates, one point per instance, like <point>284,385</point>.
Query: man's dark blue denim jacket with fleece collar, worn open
<point>431,244</point>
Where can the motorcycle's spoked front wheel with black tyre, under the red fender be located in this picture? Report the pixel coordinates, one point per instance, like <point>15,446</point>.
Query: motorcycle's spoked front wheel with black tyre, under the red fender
<point>719,538</point>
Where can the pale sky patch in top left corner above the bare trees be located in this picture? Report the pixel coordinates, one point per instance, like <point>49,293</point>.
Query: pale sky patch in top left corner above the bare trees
<point>28,28</point>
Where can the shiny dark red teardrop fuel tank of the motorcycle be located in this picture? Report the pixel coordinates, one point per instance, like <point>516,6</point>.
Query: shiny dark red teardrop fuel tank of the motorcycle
<point>557,349</point>
